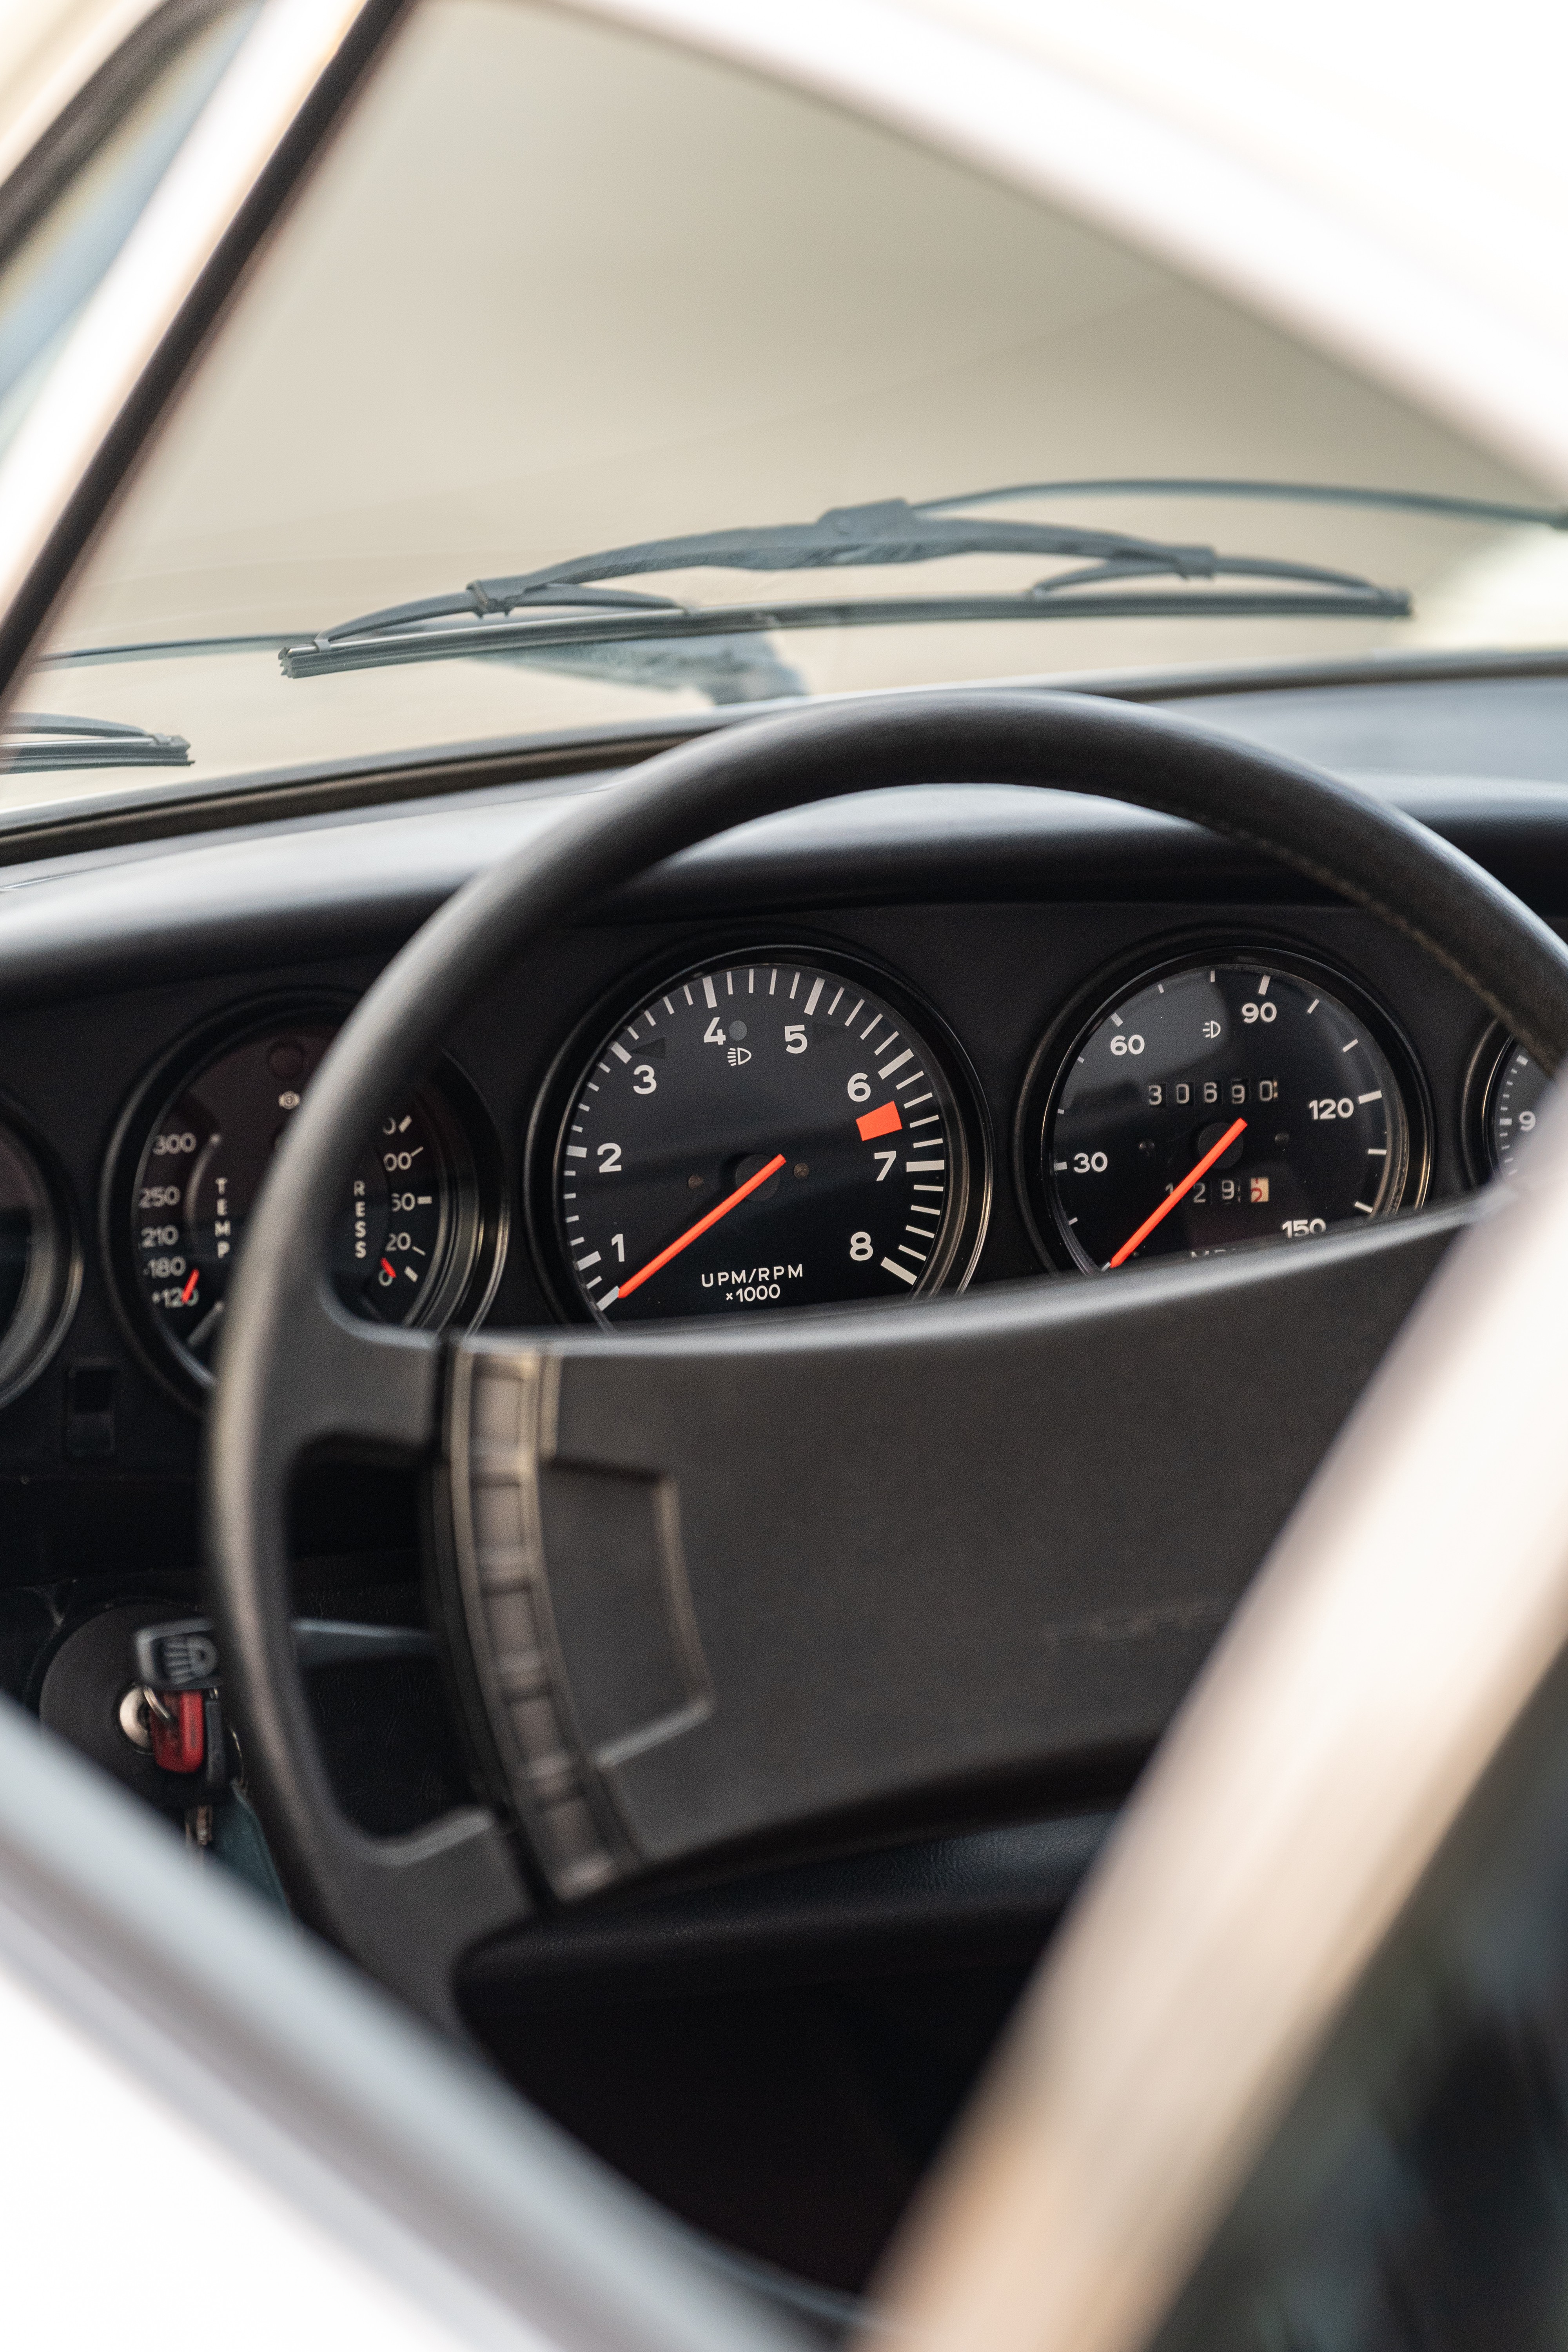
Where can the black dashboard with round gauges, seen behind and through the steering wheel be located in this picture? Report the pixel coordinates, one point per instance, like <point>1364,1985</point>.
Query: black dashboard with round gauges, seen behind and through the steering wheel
<point>878,1050</point>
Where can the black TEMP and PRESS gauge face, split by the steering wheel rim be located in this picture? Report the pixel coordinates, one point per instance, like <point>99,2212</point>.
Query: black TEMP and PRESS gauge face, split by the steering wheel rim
<point>403,1245</point>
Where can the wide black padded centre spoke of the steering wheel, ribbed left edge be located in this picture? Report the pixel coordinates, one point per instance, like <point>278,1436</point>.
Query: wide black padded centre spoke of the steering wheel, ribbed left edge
<point>735,1584</point>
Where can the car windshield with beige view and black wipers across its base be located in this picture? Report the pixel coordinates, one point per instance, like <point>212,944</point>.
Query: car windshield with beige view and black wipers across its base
<point>725,399</point>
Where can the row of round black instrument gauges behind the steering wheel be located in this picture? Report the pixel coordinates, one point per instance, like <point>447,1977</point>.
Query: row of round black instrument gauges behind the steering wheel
<point>765,1130</point>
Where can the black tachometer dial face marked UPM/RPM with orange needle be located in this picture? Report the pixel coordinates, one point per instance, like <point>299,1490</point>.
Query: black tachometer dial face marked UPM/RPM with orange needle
<point>760,1135</point>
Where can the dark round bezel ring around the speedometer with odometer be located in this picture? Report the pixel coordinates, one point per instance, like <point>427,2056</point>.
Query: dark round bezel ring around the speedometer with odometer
<point>1092,1005</point>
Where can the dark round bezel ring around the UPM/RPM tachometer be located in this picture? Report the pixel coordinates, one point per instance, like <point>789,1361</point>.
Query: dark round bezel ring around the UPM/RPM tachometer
<point>591,1038</point>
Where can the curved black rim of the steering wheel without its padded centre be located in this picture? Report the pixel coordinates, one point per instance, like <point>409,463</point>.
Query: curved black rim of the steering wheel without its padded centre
<point>293,1370</point>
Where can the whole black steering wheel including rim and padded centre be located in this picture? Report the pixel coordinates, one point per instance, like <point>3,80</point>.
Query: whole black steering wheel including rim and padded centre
<point>953,1570</point>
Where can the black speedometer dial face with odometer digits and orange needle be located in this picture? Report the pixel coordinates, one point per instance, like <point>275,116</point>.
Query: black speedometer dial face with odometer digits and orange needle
<point>1214,1107</point>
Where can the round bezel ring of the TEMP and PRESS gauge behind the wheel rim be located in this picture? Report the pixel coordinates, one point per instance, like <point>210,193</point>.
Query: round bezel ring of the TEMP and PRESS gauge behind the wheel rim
<point>474,1255</point>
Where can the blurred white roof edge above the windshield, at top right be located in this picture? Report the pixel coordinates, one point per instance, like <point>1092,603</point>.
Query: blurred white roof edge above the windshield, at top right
<point>1351,222</point>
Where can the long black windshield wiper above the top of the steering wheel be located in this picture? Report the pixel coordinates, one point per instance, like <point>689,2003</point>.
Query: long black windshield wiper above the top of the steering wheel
<point>568,603</point>
